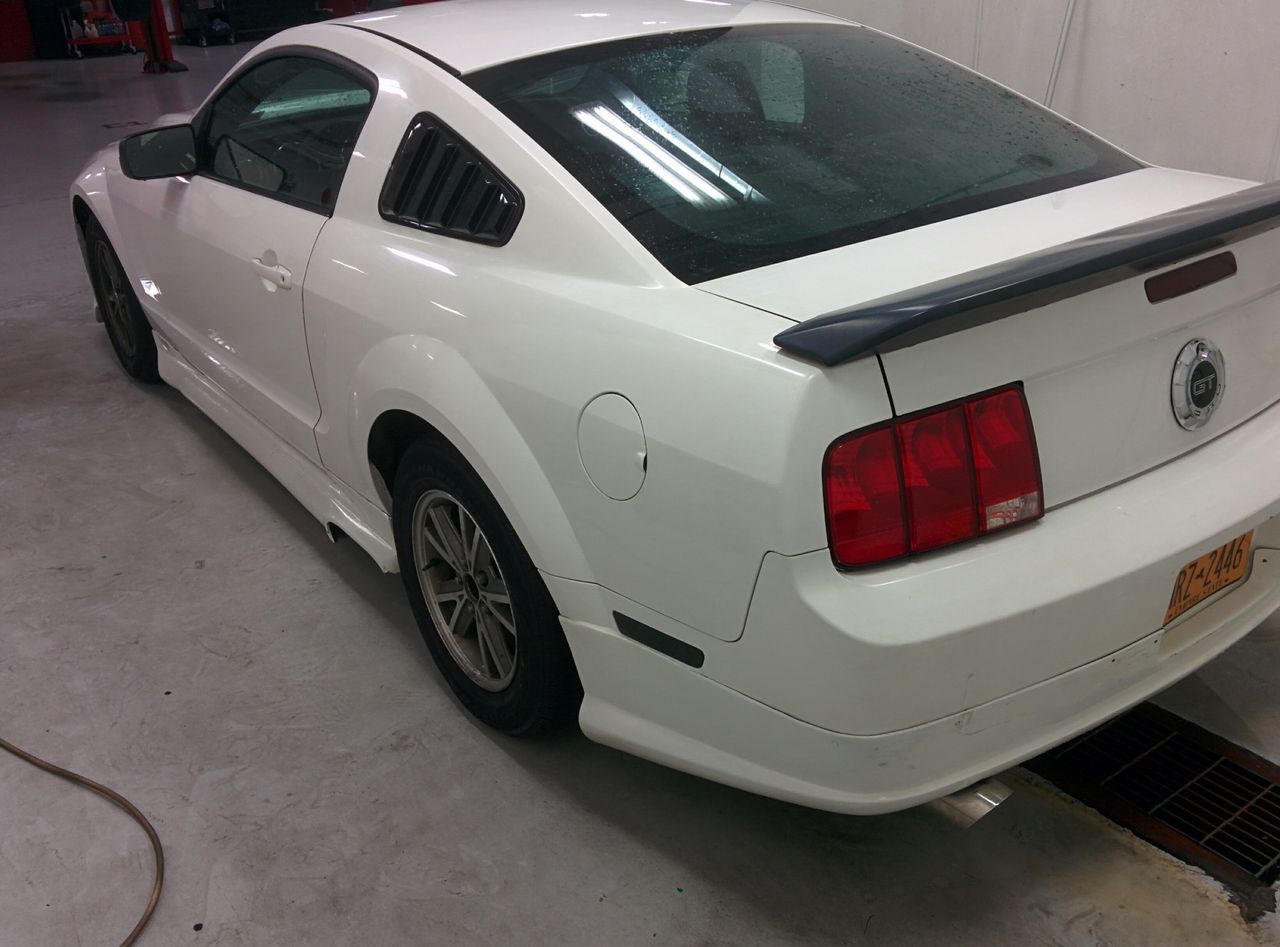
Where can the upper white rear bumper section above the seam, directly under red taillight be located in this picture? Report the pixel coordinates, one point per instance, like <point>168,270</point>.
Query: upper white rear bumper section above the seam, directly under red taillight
<point>888,649</point>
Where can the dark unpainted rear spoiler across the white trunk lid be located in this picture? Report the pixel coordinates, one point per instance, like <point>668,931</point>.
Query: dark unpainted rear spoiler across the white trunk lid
<point>1037,280</point>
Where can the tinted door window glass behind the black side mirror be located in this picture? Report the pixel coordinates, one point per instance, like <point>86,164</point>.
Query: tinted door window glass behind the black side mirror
<point>287,129</point>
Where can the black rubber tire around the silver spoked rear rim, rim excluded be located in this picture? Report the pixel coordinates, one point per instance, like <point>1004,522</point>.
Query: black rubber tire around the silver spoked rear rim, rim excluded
<point>543,692</point>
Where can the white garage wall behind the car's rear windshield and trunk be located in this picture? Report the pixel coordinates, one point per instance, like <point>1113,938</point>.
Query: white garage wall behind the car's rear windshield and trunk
<point>1186,84</point>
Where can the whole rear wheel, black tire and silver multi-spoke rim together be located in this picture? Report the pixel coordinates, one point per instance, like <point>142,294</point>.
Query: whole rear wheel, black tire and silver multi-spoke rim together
<point>481,605</point>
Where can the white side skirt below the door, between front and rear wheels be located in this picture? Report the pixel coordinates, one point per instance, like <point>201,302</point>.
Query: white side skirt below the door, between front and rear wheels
<point>327,500</point>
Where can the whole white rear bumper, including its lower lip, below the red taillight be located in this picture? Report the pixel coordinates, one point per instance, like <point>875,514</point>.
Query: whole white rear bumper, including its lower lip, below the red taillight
<point>879,690</point>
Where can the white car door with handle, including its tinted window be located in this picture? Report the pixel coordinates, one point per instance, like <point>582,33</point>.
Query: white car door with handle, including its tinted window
<point>230,257</point>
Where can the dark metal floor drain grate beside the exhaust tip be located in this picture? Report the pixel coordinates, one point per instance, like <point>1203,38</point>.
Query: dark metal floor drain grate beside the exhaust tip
<point>1194,794</point>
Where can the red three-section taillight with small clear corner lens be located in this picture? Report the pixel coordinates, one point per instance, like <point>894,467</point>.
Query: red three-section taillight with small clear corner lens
<point>932,479</point>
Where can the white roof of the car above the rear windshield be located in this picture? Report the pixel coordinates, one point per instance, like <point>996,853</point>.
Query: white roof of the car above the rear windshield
<point>470,35</point>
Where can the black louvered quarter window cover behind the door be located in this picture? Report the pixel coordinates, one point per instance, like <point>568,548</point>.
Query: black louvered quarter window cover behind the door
<point>440,184</point>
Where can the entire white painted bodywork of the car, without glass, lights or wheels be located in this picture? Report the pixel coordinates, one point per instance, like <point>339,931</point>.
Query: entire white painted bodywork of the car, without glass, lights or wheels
<point>861,692</point>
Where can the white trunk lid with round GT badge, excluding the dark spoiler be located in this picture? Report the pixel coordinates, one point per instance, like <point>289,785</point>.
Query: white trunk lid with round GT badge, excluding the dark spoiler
<point>1098,367</point>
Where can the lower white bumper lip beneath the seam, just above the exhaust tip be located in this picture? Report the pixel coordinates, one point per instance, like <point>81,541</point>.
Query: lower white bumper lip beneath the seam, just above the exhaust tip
<point>647,704</point>
